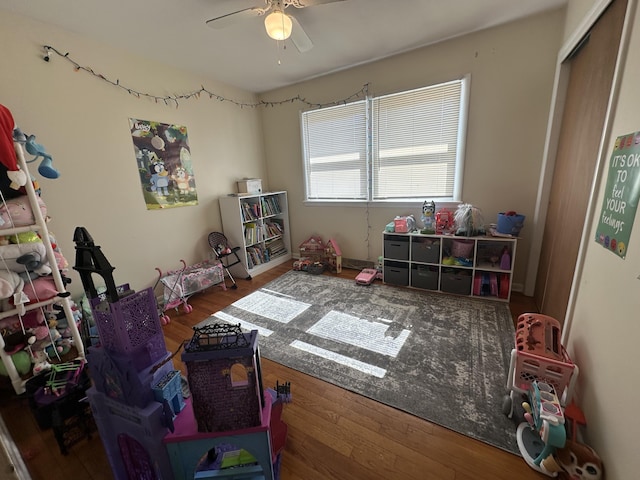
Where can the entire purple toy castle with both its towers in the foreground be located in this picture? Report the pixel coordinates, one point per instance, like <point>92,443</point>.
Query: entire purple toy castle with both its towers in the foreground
<point>227,427</point>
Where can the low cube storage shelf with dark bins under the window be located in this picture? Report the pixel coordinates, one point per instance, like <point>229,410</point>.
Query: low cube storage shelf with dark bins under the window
<point>481,267</point>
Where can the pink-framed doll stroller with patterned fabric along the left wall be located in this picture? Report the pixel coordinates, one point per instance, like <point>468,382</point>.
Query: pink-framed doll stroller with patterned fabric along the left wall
<point>180,285</point>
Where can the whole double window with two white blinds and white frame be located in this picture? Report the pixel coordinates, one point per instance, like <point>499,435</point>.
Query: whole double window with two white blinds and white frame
<point>406,146</point>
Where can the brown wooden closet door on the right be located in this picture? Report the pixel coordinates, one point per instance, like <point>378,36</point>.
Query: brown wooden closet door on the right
<point>590,79</point>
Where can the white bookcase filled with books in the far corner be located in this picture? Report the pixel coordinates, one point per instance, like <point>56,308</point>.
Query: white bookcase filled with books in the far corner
<point>259,223</point>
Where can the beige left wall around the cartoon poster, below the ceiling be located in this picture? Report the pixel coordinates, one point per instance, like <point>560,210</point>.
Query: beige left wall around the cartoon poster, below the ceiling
<point>83,123</point>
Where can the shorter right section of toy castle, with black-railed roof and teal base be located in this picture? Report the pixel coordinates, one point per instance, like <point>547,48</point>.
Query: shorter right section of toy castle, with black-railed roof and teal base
<point>230,427</point>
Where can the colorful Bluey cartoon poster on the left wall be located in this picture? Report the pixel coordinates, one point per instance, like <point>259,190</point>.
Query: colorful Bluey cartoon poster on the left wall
<point>164,164</point>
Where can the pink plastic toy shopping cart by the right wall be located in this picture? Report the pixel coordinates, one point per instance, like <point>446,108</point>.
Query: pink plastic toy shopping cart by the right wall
<point>539,355</point>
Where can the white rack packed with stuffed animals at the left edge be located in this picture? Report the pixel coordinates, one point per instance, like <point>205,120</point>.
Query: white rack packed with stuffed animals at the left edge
<point>38,320</point>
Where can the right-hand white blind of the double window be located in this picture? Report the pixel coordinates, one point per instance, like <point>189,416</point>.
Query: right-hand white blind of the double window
<point>414,142</point>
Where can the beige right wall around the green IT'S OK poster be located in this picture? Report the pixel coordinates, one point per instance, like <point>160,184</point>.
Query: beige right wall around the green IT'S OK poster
<point>605,327</point>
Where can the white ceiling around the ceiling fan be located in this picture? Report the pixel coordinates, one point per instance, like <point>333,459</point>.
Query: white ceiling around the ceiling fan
<point>344,33</point>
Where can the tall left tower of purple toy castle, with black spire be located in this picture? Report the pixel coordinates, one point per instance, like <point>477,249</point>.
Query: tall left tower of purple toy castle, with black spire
<point>129,362</point>
